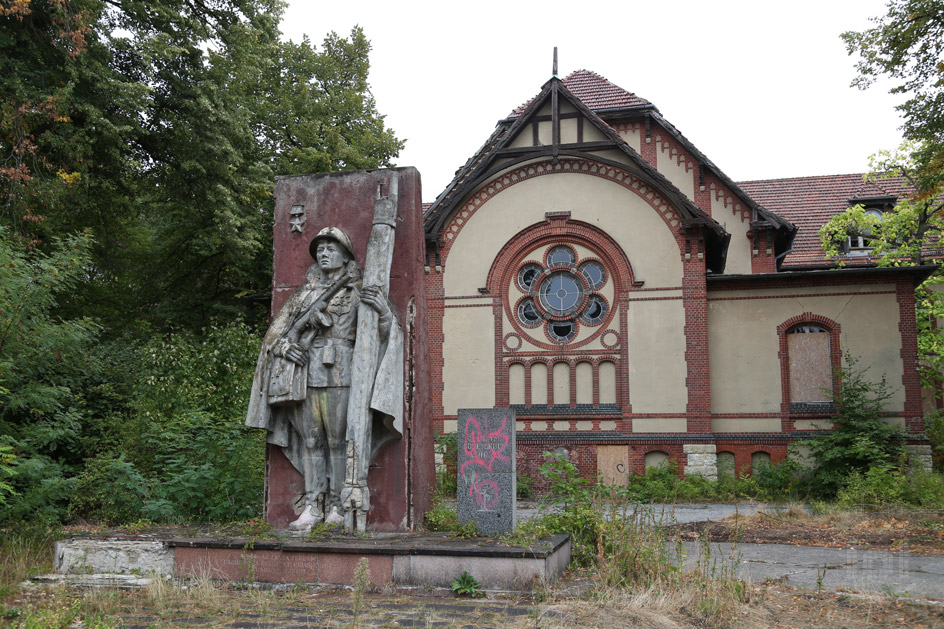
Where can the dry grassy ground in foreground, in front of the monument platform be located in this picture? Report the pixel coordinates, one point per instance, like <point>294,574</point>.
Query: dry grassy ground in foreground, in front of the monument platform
<point>768,605</point>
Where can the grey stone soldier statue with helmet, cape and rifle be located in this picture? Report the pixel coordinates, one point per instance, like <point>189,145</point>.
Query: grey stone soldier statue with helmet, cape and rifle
<point>313,351</point>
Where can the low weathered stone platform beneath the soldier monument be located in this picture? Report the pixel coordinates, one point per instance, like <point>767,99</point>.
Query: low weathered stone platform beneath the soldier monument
<point>425,560</point>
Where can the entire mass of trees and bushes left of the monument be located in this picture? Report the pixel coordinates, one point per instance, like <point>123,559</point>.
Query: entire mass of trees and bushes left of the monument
<point>152,132</point>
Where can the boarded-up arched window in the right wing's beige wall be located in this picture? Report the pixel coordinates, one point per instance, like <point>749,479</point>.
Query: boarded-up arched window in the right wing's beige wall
<point>810,364</point>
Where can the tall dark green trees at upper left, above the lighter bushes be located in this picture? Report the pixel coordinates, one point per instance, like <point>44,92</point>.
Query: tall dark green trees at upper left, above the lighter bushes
<point>159,126</point>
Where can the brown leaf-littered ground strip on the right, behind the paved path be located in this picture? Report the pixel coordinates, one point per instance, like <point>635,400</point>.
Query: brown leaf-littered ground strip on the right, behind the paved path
<point>917,532</point>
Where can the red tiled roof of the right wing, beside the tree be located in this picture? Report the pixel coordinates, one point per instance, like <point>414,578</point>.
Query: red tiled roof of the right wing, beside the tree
<point>809,202</point>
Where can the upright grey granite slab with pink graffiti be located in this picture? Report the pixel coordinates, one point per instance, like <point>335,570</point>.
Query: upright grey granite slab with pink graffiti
<point>487,484</point>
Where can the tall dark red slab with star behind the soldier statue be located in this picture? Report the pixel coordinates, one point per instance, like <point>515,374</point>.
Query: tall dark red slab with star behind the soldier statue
<point>401,477</point>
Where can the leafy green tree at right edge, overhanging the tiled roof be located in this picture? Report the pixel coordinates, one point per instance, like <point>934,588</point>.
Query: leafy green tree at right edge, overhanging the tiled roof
<point>907,46</point>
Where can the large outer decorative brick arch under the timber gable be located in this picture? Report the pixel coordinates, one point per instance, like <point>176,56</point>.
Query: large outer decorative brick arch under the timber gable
<point>626,179</point>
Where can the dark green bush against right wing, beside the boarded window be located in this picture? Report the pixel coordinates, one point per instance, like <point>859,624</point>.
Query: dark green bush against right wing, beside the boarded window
<point>860,439</point>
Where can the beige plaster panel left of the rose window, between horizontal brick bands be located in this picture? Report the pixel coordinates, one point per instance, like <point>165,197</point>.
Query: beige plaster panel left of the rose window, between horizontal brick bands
<point>468,364</point>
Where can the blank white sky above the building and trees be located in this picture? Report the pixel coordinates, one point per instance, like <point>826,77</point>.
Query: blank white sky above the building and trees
<point>760,87</point>
